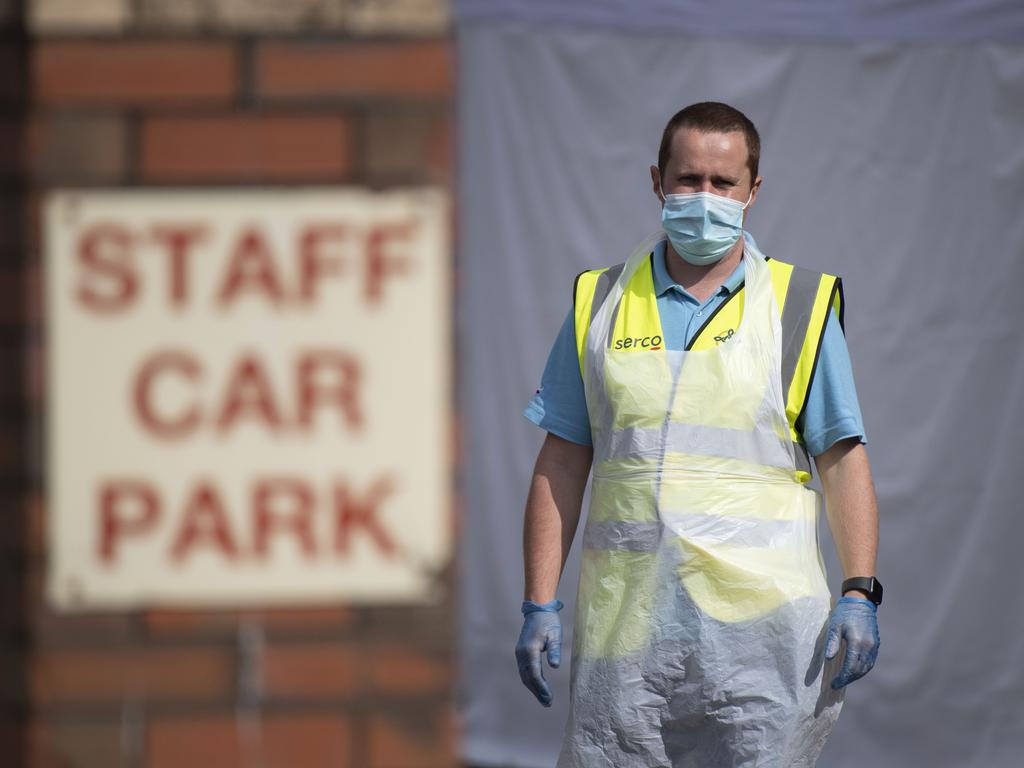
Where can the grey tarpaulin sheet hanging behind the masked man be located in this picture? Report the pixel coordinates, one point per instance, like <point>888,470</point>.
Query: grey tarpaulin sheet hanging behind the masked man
<point>900,167</point>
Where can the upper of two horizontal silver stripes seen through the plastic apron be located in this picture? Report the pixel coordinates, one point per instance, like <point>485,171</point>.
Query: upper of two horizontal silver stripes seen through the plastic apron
<point>700,440</point>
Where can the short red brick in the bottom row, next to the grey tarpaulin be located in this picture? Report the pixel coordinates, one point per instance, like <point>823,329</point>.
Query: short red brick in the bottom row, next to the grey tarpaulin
<point>423,743</point>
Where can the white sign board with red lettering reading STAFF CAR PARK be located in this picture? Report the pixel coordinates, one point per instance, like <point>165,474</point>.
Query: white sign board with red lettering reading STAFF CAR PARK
<point>248,397</point>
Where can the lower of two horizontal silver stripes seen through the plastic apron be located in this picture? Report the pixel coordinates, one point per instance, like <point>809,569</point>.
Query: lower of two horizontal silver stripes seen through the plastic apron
<point>628,536</point>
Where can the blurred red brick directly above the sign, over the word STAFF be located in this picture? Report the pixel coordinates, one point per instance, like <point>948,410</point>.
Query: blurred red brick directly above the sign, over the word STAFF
<point>245,149</point>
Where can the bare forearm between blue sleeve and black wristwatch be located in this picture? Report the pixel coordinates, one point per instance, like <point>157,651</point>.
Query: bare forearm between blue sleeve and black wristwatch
<point>851,507</point>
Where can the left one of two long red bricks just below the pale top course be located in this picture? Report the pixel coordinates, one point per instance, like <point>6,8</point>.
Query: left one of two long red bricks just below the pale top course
<point>134,73</point>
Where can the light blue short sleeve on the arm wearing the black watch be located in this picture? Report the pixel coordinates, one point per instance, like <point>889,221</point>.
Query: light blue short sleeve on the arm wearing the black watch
<point>832,413</point>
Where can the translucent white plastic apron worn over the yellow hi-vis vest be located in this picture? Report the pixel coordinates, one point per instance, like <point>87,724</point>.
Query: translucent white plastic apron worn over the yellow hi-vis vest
<point>703,605</point>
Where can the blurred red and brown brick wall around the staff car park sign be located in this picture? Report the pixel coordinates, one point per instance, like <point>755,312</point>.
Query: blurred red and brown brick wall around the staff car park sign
<point>220,93</point>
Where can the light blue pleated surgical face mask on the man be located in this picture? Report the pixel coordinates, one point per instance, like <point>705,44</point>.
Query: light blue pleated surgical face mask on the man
<point>703,227</point>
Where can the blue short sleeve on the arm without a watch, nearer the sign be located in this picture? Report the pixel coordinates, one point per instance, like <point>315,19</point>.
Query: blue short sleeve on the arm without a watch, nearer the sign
<point>560,406</point>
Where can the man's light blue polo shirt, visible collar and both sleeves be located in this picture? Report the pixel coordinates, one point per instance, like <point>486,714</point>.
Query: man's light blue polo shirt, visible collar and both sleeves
<point>833,412</point>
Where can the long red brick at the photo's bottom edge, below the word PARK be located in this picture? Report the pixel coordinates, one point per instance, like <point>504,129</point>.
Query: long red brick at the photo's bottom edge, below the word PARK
<point>310,741</point>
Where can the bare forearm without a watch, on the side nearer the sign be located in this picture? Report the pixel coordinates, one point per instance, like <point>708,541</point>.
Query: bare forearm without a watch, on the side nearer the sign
<point>552,515</point>
